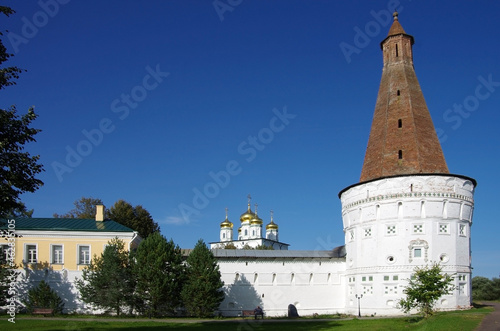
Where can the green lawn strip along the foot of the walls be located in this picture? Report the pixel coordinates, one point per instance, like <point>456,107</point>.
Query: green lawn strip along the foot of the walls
<point>455,321</point>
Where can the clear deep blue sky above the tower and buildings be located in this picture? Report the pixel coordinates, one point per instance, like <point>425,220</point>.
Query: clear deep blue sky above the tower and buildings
<point>152,102</point>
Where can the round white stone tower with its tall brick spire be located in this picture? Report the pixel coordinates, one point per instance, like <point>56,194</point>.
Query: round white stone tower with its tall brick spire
<point>407,210</point>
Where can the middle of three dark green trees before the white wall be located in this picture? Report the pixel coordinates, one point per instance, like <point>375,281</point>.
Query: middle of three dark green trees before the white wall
<point>159,272</point>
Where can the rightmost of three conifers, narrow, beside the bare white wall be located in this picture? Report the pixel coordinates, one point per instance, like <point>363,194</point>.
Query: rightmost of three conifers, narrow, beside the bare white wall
<point>202,293</point>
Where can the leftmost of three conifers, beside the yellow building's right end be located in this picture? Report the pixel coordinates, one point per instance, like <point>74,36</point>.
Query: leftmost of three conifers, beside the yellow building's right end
<point>108,281</point>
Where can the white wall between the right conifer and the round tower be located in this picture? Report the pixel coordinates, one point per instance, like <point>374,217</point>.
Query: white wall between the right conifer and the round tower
<point>312,285</point>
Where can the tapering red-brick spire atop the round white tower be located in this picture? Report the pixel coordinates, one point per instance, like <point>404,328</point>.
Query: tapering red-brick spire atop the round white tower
<point>402,138</point>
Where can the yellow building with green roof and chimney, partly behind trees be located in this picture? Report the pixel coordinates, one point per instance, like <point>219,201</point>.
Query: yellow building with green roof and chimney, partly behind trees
<point>58,249</point>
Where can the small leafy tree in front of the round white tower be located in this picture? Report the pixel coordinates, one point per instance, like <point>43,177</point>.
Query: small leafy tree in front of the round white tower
<point>426,286</point>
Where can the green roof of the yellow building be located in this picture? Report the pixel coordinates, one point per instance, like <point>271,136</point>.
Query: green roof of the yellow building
<point>65,224</point>
